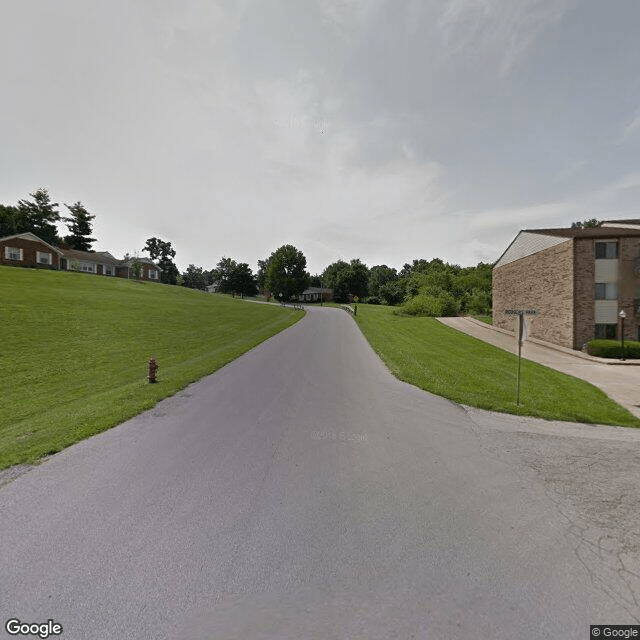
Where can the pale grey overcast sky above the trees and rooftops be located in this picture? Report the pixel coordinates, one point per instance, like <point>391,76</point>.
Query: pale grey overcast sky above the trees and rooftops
<point>383,130</point>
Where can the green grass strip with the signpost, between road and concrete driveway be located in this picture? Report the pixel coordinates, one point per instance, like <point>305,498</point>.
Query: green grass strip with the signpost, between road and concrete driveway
<point>437,358</point>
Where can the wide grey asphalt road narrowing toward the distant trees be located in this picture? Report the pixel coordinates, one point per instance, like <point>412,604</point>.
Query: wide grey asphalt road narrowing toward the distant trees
<point>303,492</point>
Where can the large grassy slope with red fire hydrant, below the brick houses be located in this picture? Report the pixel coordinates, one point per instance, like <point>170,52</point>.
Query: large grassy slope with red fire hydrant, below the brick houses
<point>74,350</point>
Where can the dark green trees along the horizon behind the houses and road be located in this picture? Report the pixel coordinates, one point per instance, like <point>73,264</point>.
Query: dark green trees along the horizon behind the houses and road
<point>422,287</point>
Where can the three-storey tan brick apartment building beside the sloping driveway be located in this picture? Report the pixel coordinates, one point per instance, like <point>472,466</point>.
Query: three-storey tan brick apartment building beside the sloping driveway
<point>578,279</point>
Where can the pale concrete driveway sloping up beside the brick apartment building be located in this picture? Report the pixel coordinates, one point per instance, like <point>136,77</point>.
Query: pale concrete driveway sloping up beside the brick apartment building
<point>619,380</point>
